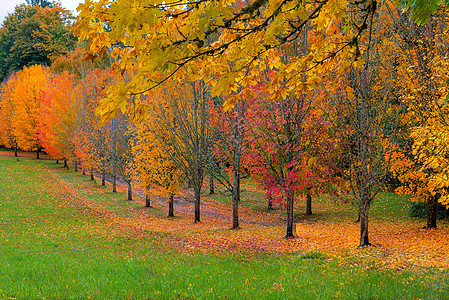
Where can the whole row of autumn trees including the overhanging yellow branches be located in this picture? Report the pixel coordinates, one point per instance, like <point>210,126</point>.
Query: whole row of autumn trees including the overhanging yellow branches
<point>337,101</point>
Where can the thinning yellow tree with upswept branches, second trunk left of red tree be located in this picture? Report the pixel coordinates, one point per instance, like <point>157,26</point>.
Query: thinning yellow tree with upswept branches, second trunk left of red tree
<point>183,127</point>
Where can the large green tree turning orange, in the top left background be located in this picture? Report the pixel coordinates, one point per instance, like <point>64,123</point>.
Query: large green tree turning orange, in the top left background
<point>34,35</point>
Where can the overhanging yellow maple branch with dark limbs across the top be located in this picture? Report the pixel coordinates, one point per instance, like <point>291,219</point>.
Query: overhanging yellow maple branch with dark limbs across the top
<point>209,38</point>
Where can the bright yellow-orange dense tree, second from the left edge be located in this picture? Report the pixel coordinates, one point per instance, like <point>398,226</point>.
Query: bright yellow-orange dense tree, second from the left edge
<point>27,99</point>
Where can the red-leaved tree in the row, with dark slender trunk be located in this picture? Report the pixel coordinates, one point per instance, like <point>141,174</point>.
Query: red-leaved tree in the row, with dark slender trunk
<point>288,154</point>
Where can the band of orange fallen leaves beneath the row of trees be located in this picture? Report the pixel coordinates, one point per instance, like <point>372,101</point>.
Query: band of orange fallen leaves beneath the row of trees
<point>398,241</point>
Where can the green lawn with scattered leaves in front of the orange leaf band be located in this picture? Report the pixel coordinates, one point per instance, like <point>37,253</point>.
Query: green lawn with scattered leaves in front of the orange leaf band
<point>60,239</point>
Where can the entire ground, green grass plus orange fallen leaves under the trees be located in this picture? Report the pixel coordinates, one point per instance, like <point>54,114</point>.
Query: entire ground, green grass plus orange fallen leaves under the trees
<point>65,236</point>
